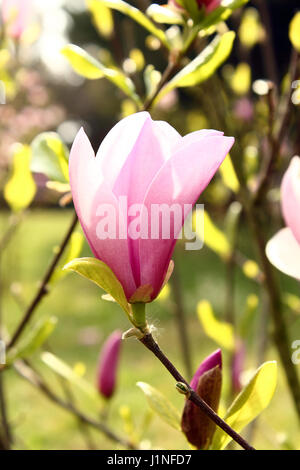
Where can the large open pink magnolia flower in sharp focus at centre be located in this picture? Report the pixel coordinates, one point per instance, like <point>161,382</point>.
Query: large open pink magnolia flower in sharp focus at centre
<point>151,165</point>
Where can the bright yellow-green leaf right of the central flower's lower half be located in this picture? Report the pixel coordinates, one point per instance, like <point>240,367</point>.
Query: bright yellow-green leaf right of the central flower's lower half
<point>214,238</point>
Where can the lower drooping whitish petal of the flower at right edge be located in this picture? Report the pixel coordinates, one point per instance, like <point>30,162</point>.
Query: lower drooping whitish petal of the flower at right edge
<point>283,251</point>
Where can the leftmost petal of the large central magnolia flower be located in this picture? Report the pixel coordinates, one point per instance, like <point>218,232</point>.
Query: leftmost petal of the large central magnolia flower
<point>90,193</point>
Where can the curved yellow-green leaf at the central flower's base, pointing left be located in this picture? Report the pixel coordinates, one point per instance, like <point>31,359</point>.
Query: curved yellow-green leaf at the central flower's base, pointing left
<point>99,273</point>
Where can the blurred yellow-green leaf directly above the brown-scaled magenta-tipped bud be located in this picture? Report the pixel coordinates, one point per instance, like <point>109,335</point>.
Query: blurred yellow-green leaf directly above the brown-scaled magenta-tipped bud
<point>220,332</point>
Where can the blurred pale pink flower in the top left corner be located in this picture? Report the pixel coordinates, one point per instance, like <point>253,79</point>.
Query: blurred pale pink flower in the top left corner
<point>15,14</point>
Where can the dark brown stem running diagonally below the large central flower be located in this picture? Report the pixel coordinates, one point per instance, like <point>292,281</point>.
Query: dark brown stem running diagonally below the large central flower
<point>151,344</point>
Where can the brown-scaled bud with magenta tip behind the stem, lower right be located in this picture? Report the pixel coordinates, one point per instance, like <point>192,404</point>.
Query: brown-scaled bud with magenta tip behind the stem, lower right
<point>207,383</point>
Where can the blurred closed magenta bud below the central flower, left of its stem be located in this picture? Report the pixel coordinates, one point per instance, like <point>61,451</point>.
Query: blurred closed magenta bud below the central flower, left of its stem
<point>108,364</point>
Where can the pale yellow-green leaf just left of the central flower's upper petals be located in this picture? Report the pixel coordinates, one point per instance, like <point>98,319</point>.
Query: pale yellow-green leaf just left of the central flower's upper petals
<point>50,157</point>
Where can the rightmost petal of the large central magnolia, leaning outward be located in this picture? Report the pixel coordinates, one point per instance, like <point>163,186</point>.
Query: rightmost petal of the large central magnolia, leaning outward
<point>180,181</point>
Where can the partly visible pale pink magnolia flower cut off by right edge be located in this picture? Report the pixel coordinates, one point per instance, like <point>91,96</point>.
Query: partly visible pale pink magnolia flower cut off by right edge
<point>283,250</point>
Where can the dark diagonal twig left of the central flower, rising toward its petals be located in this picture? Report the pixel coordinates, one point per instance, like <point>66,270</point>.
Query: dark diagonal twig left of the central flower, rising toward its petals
<point>42,291</point>
